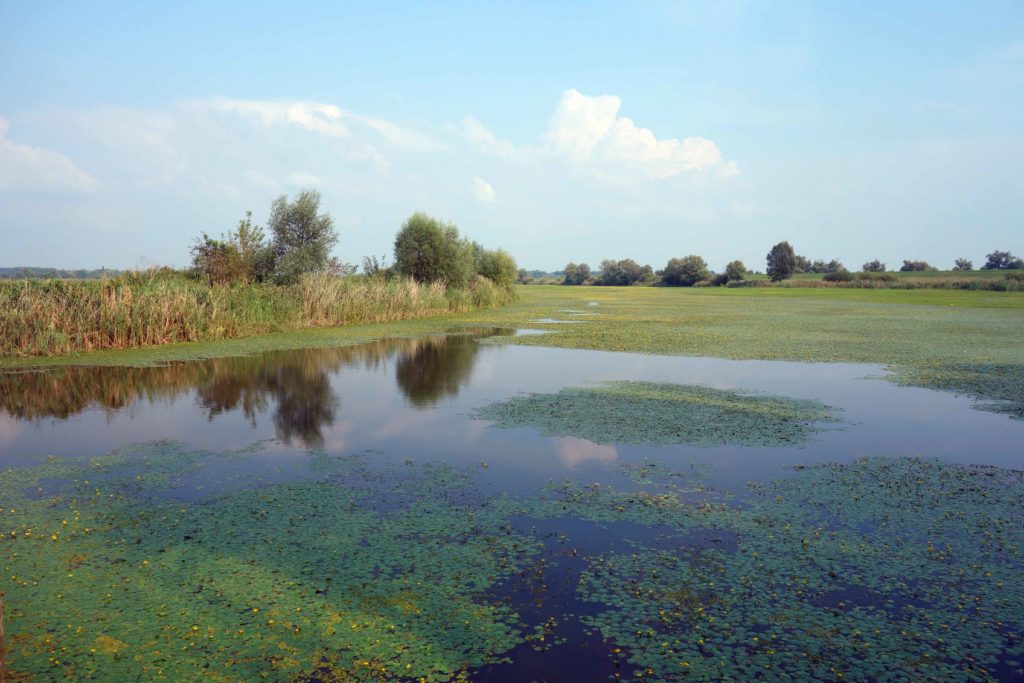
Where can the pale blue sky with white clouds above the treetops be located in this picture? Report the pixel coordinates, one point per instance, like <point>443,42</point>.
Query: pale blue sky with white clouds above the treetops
<point>559,132</point>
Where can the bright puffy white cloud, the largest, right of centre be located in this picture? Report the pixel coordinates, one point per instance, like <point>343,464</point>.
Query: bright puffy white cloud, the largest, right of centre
<point>588,132</point>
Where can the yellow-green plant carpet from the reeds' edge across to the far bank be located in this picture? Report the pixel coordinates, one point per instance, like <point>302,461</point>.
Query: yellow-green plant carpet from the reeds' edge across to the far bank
<point>970,343</point>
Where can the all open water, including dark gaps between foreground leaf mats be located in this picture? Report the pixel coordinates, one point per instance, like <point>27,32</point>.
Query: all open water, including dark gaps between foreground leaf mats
<point>413,401</point>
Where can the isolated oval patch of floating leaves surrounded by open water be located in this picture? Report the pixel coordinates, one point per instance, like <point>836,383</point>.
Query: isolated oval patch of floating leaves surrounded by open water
<point>663,414</point>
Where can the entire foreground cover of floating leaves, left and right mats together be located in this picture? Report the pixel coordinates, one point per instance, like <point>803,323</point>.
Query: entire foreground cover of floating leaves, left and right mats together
<point>369,570</point>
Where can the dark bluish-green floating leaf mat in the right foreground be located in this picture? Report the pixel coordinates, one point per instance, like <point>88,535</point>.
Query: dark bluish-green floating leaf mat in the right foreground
<point>878,570</point>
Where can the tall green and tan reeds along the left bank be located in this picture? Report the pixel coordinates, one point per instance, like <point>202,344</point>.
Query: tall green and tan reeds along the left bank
<point>54,317</point>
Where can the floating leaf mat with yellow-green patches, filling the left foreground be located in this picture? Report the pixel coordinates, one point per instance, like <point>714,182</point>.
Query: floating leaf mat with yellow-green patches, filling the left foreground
<point>276,582</point>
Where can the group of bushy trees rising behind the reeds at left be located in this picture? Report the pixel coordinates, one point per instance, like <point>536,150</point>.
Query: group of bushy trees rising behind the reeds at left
<point>302,239</point>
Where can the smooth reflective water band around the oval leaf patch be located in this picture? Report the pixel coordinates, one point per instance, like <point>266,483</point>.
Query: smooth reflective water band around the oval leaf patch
<point>415,400</point>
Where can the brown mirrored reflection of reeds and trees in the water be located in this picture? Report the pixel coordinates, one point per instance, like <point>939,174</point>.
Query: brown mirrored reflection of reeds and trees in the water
<point>294,387</point>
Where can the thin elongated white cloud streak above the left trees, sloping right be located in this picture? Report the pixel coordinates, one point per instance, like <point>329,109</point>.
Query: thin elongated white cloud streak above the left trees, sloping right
<point>323,118</point>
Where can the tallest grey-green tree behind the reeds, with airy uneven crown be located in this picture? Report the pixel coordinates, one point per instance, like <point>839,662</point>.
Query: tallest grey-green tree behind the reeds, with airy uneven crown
<point>303,237</point>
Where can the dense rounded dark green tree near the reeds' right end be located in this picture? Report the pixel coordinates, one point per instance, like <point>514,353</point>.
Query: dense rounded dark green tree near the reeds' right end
<point>430,251</point>
